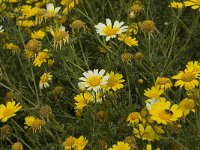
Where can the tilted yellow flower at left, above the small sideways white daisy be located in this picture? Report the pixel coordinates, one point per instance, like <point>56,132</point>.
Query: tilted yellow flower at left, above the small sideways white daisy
<point>41,57</point>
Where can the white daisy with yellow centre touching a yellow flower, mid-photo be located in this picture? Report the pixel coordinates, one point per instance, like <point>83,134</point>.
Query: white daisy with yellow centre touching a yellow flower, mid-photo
<point>94,80</point>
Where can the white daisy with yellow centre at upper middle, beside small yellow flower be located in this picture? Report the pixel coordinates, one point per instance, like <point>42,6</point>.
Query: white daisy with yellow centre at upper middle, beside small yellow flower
<point>109,30</point>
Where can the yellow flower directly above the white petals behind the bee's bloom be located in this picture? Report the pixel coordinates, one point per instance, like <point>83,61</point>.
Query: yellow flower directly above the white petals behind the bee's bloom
<point>153,93</point>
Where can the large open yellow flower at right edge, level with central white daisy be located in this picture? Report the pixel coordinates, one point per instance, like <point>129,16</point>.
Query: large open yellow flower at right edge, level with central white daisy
<point>186,78</point>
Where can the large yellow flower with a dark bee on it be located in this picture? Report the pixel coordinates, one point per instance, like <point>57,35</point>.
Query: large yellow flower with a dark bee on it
<point>163,113</point>
